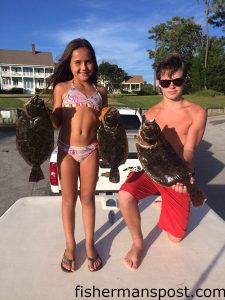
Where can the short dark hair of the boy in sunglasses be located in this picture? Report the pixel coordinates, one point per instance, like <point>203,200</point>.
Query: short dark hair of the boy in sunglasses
<point>171,64</point>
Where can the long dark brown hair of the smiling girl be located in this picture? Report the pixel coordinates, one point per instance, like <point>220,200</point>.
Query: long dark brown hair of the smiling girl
<point>62,70</point>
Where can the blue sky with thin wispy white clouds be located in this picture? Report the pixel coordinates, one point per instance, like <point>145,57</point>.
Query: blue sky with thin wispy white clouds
<point>118,30</point>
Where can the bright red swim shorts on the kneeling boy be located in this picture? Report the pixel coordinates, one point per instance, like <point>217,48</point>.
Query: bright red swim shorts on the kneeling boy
<point>175,206</point>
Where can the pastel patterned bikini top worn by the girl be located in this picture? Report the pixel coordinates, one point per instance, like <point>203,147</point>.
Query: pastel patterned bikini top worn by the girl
<point>75,98</point>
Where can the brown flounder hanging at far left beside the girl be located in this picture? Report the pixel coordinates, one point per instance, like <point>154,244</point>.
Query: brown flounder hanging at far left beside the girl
<point>34,136</point>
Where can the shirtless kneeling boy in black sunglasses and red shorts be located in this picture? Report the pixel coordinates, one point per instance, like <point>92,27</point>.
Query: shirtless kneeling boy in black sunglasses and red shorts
<point>182,123</point>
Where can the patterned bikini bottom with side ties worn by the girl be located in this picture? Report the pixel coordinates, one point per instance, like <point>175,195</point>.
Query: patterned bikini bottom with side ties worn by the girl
<point>78,153</point>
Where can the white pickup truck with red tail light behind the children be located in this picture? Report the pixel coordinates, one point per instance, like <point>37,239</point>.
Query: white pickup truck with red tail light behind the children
<point>131,119</point>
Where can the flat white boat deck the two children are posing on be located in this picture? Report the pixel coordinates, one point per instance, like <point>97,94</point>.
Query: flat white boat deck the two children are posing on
<point>32,245</point>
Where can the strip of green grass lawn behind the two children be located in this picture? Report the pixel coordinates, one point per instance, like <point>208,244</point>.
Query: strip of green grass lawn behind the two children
<point>144,102</point>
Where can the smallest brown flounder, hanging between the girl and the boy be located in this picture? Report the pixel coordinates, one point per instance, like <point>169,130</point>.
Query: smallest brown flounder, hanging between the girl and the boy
<point>113,144</point>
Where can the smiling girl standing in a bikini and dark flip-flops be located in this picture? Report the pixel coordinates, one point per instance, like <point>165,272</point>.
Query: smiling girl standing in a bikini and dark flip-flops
<point>77,102</point>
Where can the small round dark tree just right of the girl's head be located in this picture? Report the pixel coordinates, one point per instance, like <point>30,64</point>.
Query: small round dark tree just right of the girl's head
<point>111,75</point>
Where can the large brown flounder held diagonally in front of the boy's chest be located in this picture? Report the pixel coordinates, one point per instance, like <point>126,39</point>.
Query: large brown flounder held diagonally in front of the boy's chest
<point>161,162</point>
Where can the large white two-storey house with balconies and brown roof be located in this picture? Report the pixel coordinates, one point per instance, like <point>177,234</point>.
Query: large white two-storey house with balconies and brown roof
<point>25,69</point>
